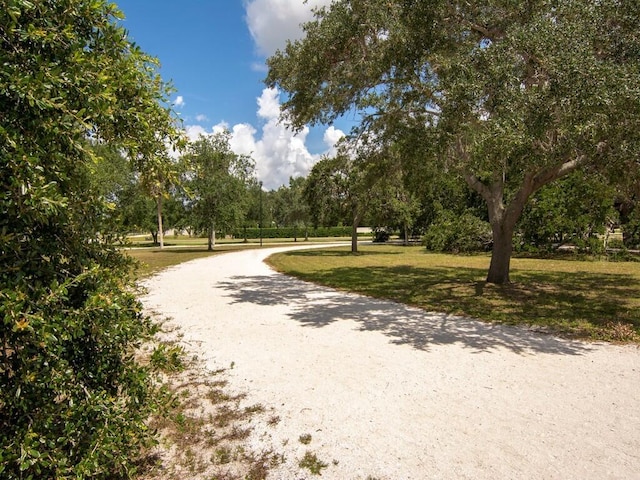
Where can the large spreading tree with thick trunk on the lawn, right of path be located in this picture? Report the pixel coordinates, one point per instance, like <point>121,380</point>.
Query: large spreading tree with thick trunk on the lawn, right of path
<point>509,95</point>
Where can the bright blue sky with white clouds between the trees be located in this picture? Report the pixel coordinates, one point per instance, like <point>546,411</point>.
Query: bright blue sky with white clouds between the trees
<point>214,53</point>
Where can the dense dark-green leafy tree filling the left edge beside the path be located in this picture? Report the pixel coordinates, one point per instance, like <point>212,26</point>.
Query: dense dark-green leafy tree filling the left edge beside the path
<point>73,402</point>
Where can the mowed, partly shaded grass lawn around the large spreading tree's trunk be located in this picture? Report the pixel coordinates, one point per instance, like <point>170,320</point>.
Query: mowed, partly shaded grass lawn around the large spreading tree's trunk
<point>594,300</point>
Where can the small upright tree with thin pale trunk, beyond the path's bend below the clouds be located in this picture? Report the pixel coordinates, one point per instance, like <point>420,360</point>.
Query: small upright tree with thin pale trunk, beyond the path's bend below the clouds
<point>217,181</point>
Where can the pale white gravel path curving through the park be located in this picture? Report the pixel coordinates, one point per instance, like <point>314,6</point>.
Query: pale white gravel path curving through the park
<point>392,392</point>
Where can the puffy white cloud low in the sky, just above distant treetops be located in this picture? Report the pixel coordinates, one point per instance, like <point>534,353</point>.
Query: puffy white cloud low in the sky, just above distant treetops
<point>279,153</point>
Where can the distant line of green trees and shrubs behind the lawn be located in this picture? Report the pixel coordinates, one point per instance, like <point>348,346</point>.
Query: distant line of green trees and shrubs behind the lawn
<point>216,192</point>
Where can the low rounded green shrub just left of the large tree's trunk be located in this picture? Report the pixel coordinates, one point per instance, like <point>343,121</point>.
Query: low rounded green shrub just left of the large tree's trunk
<point>458,233</point>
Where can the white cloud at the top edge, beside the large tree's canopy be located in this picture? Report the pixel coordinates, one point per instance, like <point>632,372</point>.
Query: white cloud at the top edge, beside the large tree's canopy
<point>273,22</point>
